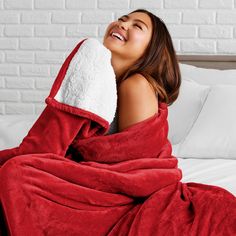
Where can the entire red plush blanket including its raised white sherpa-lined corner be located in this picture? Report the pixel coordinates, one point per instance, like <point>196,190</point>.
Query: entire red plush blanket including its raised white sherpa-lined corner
<point>127,183</point>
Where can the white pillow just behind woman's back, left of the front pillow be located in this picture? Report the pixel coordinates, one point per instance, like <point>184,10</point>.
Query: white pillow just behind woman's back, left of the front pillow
<point>184,111</point>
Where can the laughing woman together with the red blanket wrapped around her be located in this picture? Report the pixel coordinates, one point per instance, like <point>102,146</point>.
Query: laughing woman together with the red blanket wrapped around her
<point>127,183</point>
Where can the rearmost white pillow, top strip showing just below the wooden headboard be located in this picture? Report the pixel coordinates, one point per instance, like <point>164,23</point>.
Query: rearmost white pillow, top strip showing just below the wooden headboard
<point>207,76</point>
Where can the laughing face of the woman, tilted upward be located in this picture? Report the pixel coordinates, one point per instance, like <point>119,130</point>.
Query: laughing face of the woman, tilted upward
<point>136,28</point>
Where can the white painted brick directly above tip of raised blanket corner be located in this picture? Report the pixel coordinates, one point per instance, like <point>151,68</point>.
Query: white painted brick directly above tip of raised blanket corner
<point>82,30</point>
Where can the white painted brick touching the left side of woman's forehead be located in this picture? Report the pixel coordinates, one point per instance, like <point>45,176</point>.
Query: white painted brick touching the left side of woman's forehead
<point>96,17</point>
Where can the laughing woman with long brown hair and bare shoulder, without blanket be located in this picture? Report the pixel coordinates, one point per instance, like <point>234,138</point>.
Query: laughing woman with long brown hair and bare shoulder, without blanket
<point>146,57</point>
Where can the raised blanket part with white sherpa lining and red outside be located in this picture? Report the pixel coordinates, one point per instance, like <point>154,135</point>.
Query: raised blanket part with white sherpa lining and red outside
<point>82,103</point>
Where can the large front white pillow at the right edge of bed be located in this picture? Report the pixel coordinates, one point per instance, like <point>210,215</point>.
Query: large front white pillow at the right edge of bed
<point>214,133</point>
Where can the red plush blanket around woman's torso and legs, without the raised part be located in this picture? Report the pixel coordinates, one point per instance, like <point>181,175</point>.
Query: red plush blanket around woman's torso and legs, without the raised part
<point>127,183</point>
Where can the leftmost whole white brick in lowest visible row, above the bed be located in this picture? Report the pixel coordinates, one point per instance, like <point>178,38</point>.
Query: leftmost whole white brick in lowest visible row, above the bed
<point>19,108</point>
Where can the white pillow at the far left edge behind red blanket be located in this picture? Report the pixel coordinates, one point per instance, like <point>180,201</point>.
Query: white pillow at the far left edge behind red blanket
<point>13,128</point>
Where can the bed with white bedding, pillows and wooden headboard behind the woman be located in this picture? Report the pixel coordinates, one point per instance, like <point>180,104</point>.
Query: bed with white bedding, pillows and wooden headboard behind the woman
<point>202,127</point>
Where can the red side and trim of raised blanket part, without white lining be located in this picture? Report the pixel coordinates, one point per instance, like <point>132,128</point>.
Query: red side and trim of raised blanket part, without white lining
<point>56,121</point>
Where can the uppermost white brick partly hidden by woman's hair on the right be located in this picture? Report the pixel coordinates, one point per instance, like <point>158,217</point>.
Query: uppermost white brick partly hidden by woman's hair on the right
<point>169,16</point>
